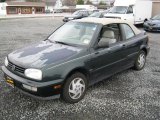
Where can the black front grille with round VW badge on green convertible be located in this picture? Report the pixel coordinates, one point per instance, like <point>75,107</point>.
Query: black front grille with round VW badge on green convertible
<point>16,68</point>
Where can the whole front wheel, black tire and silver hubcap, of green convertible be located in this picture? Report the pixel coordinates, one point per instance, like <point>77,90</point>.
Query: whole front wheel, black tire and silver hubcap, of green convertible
<point>74,94</point>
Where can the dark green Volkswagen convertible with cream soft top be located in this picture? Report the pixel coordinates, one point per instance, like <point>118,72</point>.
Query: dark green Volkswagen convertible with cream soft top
<point>75,56</point>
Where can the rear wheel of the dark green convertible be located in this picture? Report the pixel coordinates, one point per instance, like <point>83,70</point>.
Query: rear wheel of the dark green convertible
<point>140,61</point>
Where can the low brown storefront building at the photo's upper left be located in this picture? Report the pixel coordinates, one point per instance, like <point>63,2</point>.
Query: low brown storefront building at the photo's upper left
<point>21,7</point>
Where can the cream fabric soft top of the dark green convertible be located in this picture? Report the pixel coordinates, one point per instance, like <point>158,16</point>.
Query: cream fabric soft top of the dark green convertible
<point>106,21</point>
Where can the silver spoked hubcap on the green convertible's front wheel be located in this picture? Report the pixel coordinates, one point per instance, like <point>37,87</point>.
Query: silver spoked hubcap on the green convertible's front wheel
<point>76,88</point>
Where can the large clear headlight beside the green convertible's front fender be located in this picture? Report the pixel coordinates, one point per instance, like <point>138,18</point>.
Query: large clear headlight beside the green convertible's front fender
<point>33,73</point>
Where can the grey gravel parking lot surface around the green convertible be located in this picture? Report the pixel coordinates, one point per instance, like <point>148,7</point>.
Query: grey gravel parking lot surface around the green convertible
<point>126,95</point>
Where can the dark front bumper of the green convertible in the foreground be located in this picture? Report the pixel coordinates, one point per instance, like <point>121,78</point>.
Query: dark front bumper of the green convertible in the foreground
<point>45,90</point>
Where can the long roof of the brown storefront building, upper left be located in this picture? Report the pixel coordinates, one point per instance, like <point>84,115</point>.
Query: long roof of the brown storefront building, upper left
<point>36,4</point>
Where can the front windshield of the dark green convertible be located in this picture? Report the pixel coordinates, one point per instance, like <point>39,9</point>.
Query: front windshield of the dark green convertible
<point>74,33</point>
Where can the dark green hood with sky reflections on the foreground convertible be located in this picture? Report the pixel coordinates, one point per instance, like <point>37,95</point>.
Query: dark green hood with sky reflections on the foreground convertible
<point>42,54</point>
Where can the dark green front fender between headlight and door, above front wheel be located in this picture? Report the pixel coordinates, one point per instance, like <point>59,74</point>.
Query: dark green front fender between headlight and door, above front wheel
<point>60,71</point>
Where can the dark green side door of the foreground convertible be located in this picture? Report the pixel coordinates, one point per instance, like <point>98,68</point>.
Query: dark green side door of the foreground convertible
<point>108,60</point>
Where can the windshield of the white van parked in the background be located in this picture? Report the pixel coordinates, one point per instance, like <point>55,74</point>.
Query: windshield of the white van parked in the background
<point>119,9</point>
